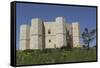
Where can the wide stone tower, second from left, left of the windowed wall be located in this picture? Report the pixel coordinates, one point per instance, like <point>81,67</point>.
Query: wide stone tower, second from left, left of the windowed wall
<point>36,34</point>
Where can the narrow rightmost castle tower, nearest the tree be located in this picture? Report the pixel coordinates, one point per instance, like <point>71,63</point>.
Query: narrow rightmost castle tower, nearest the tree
<point>75,34</point>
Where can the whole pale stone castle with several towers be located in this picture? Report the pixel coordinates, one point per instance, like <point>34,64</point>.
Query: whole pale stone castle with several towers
<point>50,34</point>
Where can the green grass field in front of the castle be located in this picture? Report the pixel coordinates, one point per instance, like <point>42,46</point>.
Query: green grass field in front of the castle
<point>28,57</point>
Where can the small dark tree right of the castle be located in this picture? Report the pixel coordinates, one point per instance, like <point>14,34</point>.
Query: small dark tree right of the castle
<point>88,36</point>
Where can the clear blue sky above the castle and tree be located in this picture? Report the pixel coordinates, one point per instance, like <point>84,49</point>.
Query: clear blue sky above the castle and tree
<point>86,16</point>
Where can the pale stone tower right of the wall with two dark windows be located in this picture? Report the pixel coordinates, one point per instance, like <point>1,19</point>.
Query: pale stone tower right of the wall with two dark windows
<point>60,32</point>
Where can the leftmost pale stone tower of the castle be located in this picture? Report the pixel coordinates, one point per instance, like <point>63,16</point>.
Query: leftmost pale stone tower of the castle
<point>24,37</point>
